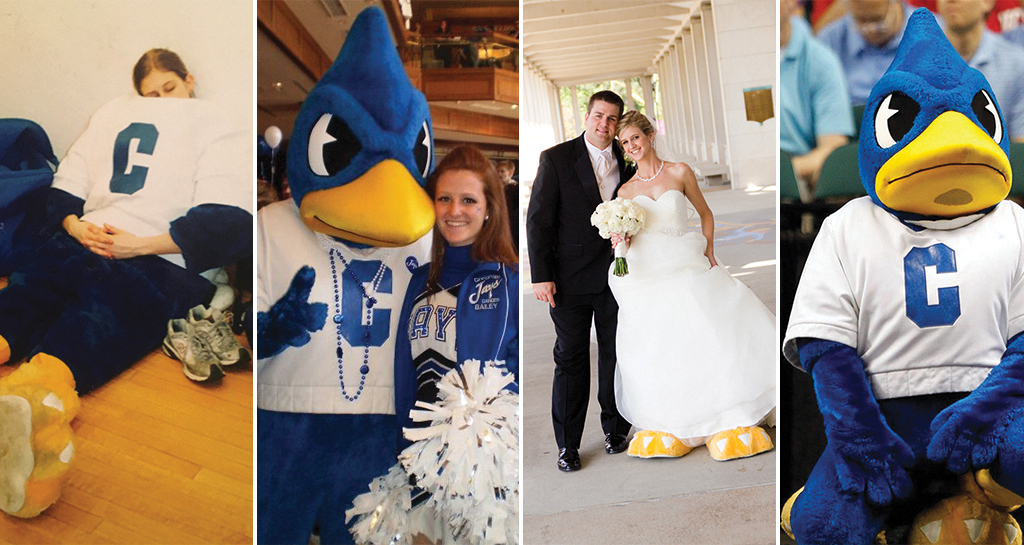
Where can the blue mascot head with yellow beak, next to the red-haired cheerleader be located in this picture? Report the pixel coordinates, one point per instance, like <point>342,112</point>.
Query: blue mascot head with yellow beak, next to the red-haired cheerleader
<point>363,146</point>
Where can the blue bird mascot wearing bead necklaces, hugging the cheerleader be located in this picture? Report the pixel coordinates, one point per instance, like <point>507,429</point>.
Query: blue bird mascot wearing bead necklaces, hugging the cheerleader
<point>333,266</point>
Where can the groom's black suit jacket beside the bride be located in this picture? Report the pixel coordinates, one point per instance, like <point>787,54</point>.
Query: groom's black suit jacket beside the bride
<point>565,248</point>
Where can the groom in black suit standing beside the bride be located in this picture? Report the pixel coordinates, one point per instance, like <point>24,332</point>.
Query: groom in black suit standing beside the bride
<point>570,269</point>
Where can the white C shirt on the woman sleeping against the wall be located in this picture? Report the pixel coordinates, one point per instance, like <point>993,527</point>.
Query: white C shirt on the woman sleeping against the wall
<point>143,163</point>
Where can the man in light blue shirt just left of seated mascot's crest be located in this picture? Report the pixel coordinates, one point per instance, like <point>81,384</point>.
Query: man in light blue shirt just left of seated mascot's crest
<point>866,40</point>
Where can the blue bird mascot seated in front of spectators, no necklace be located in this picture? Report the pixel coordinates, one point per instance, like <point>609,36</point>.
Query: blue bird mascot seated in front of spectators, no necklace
<point>910,318</point>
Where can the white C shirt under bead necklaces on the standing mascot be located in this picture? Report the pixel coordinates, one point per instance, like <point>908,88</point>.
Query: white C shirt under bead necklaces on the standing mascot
<point>306,380</point>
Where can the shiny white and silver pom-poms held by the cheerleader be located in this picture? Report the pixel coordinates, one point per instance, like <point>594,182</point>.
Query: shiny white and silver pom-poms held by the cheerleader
<point>466,462</point>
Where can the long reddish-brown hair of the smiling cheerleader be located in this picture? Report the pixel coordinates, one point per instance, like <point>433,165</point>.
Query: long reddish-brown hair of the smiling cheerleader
<point>495,241</point>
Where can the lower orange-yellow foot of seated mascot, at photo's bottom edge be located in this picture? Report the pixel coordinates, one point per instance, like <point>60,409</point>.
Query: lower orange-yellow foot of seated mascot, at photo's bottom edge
<point>963,520</point>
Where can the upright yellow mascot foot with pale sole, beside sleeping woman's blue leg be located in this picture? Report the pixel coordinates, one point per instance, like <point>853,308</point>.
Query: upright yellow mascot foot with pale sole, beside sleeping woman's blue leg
<point>37,405</point>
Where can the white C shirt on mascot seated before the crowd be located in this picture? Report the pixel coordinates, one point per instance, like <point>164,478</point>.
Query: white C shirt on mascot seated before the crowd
<point>929,312</point>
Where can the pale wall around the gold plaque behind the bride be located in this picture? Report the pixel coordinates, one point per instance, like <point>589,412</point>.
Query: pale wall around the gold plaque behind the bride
<point>748,44</point>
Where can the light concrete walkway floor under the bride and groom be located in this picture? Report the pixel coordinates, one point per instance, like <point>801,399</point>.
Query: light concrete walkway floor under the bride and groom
<point>623,500</point>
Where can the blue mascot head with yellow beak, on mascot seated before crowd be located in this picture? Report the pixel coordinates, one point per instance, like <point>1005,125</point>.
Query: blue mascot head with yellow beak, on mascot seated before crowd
<point>933,144</point>
